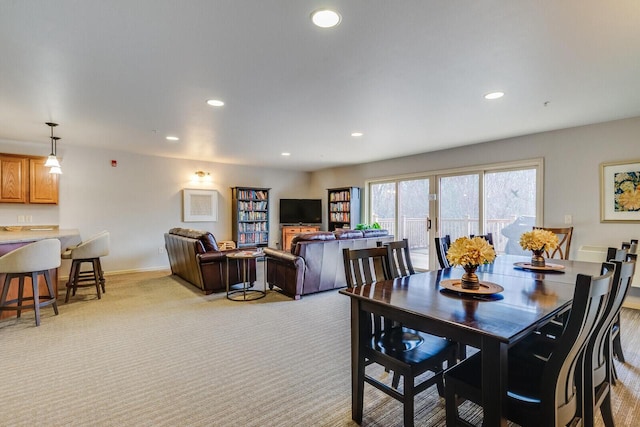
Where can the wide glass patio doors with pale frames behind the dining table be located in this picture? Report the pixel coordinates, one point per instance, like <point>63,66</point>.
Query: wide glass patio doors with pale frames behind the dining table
<point>504,200</point>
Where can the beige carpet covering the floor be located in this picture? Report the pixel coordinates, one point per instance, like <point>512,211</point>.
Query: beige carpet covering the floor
<point>157,352</point>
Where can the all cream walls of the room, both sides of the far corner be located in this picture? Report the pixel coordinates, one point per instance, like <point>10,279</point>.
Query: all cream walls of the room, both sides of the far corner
<point>141,198</point>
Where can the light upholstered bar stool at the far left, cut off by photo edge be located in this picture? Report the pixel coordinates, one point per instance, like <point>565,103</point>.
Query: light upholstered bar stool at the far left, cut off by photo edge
<point>31,260</point>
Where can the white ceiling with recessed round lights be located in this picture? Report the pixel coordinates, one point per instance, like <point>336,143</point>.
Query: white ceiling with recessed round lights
<point>410,75</point>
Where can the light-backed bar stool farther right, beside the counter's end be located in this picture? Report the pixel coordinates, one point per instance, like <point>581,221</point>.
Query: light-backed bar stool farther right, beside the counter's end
<point>88,251</point>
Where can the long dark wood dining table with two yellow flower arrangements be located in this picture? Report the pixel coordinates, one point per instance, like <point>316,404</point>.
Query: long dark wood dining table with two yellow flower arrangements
<point>491,323</point>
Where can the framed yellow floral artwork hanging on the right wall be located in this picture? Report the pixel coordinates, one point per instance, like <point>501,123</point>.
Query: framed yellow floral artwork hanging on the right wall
<point>620,191</point>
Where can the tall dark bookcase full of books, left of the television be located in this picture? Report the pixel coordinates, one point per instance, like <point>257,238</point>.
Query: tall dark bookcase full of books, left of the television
<point>250,216</point>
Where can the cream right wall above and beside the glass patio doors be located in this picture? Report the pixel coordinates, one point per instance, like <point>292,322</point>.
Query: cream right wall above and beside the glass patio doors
<point>572,160</point>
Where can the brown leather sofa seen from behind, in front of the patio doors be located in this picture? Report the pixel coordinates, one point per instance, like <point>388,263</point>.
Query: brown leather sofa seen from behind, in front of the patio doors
<point>315,262</point>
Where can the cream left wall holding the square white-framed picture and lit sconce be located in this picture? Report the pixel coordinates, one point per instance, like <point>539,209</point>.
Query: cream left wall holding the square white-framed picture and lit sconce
<point>141,198</point>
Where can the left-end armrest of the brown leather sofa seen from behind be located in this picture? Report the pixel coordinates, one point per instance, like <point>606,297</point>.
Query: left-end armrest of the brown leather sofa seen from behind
<point>286,271</point>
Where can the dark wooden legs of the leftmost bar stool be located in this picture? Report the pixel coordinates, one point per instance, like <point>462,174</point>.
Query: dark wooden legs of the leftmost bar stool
<point>19,301</point>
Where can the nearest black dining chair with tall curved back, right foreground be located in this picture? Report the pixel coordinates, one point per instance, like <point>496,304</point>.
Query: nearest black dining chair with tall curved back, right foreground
<point>539,392</point>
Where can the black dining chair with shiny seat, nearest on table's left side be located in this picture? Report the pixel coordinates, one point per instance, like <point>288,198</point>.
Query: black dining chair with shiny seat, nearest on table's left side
<point>406,352</point>
